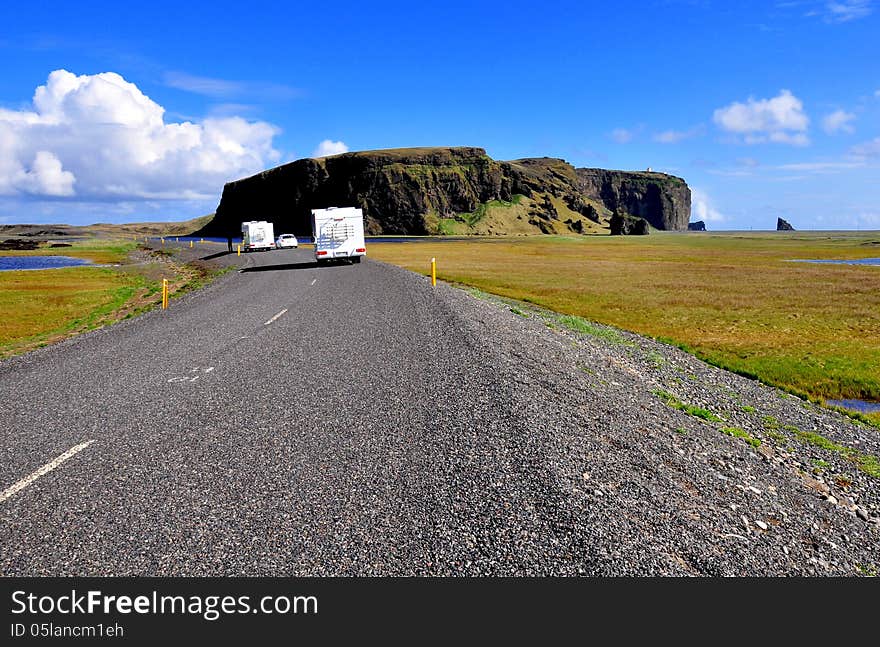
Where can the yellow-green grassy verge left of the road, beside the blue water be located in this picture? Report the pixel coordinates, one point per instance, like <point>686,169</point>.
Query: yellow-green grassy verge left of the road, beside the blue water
<point>46,306</point>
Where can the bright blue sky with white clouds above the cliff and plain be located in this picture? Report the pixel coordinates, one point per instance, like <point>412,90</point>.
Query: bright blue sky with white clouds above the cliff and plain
<point>767,109</point>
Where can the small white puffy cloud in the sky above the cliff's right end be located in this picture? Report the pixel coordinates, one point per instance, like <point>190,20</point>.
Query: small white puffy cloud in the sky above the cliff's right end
<point>781,120</point>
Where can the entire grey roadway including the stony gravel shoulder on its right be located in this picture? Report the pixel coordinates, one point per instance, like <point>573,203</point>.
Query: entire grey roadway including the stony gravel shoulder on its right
<point>354,420</point>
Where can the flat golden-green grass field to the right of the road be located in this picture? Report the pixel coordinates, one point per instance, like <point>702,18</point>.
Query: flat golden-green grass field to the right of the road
<point>733,299</point>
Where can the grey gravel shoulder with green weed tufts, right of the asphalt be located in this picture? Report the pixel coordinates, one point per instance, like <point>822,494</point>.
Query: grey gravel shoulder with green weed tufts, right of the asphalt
<point>763,484</point>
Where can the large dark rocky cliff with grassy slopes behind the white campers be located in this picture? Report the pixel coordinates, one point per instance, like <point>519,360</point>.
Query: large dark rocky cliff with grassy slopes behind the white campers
<point>420,191</point>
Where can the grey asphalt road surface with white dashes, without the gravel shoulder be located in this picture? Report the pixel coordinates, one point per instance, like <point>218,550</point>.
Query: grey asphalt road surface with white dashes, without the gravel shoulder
<point>291,419</point>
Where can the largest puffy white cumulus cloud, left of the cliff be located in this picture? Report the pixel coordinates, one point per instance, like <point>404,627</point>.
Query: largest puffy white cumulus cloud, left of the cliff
<point>99,136</point>
